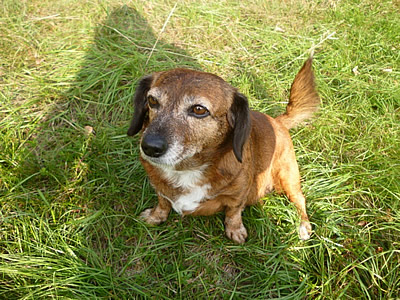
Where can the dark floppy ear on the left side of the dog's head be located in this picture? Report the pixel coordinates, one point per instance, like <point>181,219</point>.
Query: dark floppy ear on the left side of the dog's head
<point>140,103</point>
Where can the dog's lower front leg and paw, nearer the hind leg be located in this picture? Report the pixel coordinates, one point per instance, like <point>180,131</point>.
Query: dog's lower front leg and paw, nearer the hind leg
<point>234,228</point>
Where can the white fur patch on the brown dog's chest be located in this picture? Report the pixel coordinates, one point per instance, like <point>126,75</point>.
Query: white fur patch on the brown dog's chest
<point>193,192</point>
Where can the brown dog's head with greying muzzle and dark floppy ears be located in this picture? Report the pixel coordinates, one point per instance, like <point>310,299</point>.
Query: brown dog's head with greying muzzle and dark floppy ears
<point>185,112</point>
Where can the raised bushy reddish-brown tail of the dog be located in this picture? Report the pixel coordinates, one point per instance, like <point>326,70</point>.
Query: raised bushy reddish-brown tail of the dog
<point>304,99</point>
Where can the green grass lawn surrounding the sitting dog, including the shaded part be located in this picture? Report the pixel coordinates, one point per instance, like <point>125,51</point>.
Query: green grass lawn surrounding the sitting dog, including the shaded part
<point>70,199</point>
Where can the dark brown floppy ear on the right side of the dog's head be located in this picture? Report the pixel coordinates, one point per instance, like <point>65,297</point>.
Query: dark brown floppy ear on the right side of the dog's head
<point>239,119</point>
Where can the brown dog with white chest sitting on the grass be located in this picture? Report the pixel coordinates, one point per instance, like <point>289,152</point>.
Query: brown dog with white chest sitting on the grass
<point>205,151</point>
